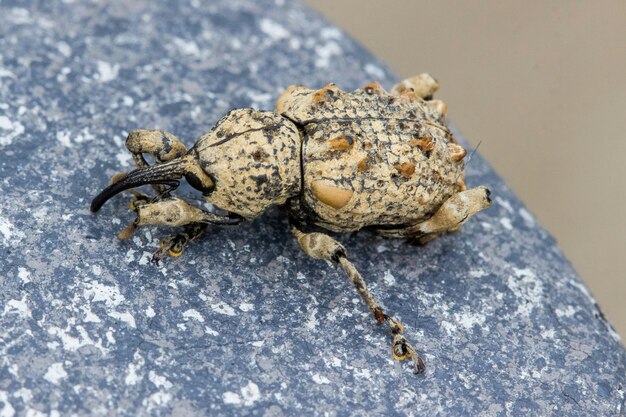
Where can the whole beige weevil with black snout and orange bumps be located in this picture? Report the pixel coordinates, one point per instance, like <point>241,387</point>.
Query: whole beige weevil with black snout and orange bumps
<point>340,161</point>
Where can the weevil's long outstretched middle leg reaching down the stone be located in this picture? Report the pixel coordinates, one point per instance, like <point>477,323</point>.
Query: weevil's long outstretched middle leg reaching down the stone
<point>322,246</point>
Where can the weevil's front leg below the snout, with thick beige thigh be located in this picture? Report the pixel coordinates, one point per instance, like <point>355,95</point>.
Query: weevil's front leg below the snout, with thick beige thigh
<point>175,212</point>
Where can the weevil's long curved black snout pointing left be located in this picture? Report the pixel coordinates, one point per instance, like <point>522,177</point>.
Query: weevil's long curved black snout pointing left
<point>167,173</point>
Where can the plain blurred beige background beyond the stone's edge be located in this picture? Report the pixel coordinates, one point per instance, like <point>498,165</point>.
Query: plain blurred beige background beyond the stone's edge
<point>543,86</point>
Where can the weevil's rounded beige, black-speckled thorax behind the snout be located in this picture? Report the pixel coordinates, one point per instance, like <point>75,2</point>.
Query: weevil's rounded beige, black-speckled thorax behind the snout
<point>254,159</point>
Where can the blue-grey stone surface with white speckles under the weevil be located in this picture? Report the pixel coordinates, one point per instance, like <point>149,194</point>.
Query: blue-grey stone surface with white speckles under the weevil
<point>244,323</point>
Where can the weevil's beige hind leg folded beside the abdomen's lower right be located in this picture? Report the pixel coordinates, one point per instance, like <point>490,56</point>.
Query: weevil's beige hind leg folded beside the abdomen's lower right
<point>448,218</point>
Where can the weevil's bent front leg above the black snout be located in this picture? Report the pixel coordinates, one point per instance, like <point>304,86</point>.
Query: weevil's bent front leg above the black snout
<point>162,146</point>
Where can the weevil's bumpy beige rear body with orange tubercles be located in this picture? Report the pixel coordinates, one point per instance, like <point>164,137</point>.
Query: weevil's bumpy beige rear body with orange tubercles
<point>373,158</point>
